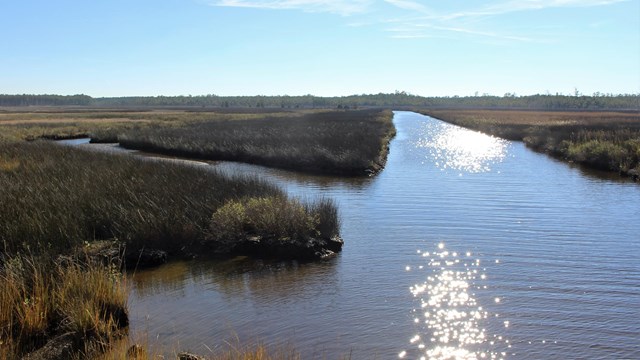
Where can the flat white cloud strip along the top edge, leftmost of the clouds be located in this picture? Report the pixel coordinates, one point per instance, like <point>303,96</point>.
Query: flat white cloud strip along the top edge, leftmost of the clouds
<point>341,7</point>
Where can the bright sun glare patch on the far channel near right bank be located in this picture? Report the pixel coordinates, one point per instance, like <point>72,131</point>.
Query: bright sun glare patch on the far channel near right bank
<point>456,148</point>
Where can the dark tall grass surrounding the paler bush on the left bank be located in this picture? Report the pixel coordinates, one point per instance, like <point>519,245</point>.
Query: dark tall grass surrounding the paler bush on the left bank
<point>54,198</point>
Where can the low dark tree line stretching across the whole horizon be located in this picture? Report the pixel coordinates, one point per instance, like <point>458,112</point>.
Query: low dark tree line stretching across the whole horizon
<point>577,101</point>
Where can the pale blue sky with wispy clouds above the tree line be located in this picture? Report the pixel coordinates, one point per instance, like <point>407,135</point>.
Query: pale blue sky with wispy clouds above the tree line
<point>108,48</point>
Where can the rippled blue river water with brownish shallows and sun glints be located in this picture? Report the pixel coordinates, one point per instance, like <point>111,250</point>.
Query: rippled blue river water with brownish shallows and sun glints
<point>465,246</point>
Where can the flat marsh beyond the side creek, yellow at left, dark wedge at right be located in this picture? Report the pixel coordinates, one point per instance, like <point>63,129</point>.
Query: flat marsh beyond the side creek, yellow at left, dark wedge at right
<point>339,142</point>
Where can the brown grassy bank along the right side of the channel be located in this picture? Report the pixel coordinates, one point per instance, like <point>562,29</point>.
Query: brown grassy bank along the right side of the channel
<point>607,141</point>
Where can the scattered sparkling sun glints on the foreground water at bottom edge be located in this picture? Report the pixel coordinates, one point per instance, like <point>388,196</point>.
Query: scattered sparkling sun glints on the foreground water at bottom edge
<point>450,318</point>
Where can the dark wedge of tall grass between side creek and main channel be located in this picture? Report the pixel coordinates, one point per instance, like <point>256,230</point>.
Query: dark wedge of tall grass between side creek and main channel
<point>341,142</point>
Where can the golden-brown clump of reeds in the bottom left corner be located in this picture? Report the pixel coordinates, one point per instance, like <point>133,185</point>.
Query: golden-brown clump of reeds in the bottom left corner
<point>41,300</point>
